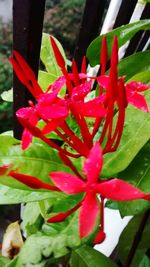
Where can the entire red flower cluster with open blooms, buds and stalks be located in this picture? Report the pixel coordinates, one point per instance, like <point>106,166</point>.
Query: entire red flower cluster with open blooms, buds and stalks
<point>114,95</point>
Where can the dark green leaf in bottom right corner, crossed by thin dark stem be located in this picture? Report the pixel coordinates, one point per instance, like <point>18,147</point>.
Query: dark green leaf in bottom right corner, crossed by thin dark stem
<point>127,237</point>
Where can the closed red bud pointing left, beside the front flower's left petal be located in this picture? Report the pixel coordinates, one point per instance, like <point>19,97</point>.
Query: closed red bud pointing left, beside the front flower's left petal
<point>32,181</point>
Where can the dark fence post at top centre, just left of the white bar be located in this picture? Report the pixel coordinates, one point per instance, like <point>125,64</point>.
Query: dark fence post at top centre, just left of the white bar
<point>92,17</point>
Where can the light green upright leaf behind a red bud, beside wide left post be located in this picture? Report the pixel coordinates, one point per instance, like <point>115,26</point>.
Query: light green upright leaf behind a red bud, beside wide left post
<point>47,56</point>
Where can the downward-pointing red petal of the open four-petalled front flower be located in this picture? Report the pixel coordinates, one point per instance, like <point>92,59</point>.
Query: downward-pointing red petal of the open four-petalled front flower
<point>88,214</point>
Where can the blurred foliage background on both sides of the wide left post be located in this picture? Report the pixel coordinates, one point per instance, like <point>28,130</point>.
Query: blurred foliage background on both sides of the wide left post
<point>62,19</point>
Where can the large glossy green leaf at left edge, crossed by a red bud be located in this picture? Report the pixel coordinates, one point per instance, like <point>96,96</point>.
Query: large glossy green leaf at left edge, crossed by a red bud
<point>38,160</point>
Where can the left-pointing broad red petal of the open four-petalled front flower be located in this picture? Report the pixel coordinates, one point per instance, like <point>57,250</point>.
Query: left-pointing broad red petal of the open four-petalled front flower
<point>67,183</point>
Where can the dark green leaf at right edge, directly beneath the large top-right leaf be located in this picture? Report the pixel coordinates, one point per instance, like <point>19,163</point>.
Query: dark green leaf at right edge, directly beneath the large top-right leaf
<point>134,64</point>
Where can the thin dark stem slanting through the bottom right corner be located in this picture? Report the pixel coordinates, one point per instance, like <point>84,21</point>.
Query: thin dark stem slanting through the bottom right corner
<point>137,239</point>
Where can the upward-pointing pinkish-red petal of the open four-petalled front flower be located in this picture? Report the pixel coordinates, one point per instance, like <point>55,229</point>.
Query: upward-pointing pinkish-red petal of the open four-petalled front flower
<point>93,164</point>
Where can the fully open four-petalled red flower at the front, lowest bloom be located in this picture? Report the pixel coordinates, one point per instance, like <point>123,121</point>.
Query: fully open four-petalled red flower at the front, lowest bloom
<point>113,189</point>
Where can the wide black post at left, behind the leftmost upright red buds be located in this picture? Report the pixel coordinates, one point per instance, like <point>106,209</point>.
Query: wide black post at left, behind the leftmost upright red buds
<point>27,32</point>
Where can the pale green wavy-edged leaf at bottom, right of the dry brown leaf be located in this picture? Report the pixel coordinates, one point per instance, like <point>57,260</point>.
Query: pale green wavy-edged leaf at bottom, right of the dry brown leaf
<point>39,247</point>
